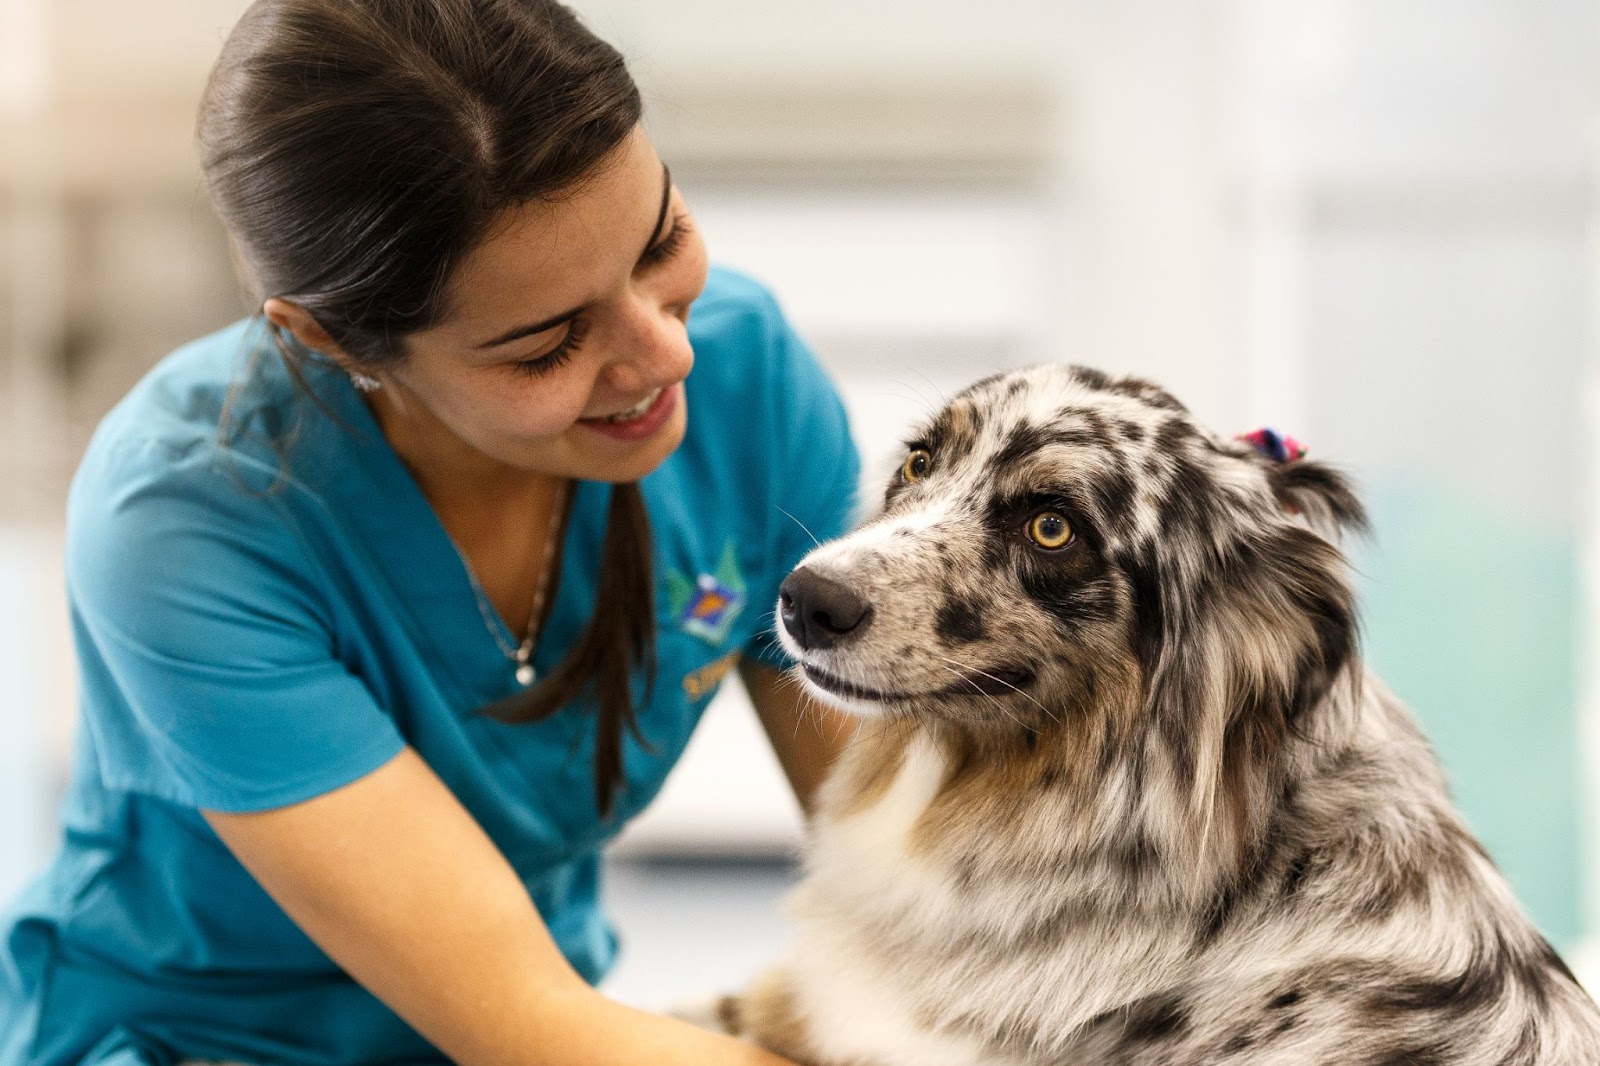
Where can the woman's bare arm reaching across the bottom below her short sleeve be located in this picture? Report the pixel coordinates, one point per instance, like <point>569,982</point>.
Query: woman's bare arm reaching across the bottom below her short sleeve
<point>394,880</point>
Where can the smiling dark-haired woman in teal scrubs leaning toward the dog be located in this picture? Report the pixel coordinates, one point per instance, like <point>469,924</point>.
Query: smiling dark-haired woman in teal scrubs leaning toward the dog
<point>396,601</point>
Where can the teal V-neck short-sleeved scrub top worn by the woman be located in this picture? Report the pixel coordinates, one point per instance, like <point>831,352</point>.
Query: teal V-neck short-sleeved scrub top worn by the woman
<point>268,614</point>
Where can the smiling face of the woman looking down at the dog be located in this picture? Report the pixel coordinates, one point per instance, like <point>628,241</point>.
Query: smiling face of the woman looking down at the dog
<point>564,350</point>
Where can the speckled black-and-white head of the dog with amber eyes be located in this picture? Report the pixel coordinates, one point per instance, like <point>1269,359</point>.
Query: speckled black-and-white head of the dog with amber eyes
<point>1068,550</point>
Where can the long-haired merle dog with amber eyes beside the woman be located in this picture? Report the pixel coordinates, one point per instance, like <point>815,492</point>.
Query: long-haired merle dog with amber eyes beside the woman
<point>1122,790</point>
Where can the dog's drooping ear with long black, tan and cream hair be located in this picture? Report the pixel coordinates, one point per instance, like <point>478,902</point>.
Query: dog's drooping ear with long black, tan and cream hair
<point>1242,660</point>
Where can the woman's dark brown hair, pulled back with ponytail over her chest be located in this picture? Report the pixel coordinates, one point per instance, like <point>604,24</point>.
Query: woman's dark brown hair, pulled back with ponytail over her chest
<point>359,150</point>
